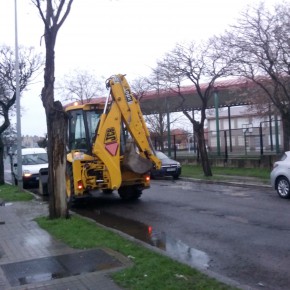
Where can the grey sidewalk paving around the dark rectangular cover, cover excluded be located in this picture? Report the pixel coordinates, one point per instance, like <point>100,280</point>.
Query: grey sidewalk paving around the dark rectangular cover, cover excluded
<point>22,240</point>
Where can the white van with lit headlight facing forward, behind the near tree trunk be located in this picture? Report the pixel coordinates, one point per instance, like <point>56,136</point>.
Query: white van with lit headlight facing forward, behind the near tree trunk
<point>33,159</point>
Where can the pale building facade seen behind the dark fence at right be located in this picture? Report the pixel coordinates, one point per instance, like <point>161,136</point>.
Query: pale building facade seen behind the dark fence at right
<point>240,130</point>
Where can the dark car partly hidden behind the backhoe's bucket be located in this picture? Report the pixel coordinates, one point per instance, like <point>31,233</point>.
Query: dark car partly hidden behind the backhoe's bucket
<point>169,167</point>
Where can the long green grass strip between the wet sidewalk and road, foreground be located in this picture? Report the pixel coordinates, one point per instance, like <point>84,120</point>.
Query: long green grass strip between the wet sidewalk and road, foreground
<point>150,270</point>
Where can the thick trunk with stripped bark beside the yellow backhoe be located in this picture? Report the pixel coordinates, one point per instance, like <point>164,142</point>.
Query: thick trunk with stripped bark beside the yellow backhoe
<point>56,134</point>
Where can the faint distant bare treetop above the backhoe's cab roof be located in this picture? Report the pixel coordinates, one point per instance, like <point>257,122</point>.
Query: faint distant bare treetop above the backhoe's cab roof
<point>81,86</point>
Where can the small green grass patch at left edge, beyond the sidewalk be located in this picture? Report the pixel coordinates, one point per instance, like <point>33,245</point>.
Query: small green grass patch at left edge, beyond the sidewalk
<point>10,193</point>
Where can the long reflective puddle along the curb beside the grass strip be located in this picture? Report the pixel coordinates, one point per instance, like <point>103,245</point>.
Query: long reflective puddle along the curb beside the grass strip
<point>175,248</point>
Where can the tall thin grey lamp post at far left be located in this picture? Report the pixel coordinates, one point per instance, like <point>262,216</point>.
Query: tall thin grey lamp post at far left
<point>18,119</point>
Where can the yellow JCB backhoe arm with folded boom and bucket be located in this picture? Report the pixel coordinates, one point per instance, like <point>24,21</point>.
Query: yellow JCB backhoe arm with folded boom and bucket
<point>124,107</point>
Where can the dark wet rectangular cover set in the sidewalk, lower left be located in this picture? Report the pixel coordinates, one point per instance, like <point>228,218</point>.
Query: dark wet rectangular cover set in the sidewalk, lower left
<point>49,268</point>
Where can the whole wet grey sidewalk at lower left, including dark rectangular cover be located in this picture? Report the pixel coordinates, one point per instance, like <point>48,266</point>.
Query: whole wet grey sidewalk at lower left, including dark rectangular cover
<point>31,259</point>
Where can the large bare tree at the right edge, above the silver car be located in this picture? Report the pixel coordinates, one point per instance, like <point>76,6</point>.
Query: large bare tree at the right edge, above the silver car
<point>259,46</point>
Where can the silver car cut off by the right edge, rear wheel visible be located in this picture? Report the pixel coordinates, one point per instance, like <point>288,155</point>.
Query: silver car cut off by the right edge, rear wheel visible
<point>280,176</point>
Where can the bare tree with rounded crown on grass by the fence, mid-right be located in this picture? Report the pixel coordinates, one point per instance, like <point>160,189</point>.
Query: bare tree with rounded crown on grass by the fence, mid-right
<point>198,64</point>
